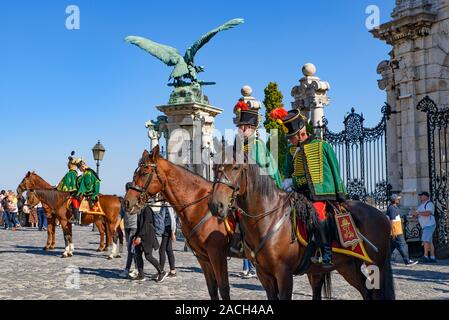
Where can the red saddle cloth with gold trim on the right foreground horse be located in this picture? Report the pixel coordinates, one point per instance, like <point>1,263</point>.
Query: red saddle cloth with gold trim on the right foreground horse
<point>350,244</point>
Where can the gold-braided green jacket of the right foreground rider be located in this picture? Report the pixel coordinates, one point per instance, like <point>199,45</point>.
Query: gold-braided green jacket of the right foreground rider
<point>318,173</point>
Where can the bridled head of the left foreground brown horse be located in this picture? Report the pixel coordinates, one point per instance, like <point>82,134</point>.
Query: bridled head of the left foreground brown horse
<point>146,182</point>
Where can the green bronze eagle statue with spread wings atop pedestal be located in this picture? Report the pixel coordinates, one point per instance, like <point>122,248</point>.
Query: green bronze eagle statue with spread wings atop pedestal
<point>184,66</point>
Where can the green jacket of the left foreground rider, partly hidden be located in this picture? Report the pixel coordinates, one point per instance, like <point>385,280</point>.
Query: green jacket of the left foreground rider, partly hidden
<point>259,153</point>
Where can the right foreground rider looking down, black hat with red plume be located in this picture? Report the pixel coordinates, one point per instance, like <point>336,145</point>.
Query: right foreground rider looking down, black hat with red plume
<point>311,168</point>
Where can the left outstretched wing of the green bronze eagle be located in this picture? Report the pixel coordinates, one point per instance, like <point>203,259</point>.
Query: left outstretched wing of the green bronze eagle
<point>168,55</point>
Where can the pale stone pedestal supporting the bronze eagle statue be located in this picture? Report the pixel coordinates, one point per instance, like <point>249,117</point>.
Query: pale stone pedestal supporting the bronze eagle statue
<point>190,127</point>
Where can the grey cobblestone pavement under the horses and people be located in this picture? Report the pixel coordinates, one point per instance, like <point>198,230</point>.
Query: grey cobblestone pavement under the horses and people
<point>28,272</point>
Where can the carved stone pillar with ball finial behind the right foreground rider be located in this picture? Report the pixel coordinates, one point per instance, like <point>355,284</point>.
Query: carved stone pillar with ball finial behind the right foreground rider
<point>311,97</point>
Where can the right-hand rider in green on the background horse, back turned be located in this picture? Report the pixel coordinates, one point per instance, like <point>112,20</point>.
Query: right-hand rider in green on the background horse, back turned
<point>88,184</point>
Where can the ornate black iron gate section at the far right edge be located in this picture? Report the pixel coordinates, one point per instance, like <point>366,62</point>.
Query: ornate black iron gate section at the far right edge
<point>438,142</point>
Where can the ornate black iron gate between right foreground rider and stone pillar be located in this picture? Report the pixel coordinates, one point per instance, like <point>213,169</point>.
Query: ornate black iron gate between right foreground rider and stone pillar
<point>362,155</point>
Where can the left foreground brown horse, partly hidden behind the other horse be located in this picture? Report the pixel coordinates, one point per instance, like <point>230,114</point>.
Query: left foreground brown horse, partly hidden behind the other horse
<point>187,193</point>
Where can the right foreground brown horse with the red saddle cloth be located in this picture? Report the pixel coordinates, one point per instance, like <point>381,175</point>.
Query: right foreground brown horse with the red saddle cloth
<point>268,235</point>
